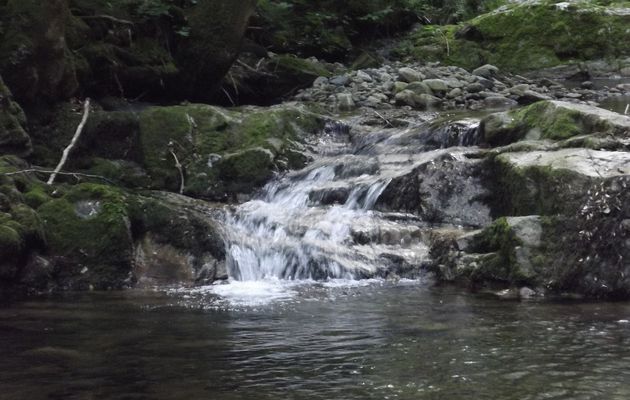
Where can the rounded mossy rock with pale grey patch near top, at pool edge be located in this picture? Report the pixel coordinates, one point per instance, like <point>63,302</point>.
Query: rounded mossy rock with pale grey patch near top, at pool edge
<point>88,231</point>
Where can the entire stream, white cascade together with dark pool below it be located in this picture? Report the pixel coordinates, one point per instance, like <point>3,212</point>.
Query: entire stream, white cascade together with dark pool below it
<point>327,299</point>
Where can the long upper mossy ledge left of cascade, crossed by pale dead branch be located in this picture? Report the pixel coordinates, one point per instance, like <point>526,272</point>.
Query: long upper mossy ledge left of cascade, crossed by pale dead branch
<point>223,153</point>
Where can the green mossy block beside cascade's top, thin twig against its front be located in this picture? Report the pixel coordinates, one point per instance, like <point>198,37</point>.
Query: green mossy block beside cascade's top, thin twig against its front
<point>200,135</point>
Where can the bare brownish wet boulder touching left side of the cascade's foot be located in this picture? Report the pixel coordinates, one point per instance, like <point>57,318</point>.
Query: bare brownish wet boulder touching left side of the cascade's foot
<point>175,241</point>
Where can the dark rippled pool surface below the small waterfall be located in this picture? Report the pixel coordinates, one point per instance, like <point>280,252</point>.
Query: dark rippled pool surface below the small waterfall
<point>379,341</point>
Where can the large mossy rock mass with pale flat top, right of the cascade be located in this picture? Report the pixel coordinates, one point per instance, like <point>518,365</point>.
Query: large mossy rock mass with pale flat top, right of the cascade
<point>558,178</point>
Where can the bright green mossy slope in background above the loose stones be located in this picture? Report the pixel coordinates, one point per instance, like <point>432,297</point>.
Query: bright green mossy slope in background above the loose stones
<point>529,35</point>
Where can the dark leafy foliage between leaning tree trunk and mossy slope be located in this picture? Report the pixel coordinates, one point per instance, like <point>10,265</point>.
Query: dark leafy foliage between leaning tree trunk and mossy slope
<point>330,29</point>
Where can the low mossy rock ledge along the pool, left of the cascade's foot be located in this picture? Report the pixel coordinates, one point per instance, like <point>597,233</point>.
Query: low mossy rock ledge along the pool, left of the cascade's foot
<point>93,236</point>
